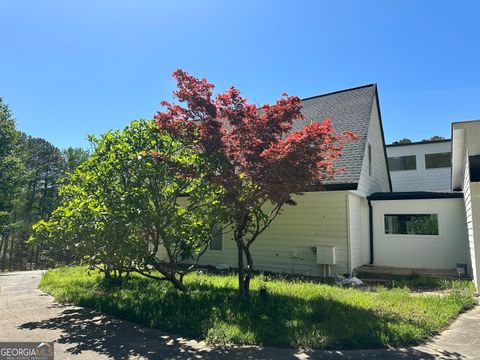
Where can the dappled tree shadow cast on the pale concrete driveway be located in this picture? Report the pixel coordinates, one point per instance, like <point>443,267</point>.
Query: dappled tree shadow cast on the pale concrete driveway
<point>87,330</point>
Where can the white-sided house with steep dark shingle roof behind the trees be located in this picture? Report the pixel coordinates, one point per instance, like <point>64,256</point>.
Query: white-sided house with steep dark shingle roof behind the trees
<point>397,206</point>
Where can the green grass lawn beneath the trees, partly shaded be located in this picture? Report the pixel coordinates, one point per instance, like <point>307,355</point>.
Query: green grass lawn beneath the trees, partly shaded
<point>292,313</point>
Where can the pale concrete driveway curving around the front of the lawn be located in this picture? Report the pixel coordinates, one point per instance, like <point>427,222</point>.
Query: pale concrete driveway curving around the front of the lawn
<point>28,314</point>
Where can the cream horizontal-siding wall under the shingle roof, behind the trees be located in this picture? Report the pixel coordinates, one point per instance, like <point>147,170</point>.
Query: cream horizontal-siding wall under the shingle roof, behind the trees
<point>319,218</point>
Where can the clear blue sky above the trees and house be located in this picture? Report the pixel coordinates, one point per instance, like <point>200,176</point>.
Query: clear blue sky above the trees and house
<point>72,68</point>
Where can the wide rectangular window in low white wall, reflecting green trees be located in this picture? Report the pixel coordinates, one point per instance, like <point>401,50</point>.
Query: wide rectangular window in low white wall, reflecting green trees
<point>412,224</point>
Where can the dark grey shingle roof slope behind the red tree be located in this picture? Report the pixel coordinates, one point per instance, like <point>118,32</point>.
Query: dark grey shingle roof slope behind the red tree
<point>347,110</point>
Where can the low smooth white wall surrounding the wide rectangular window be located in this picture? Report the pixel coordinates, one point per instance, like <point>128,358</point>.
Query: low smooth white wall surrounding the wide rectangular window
<point>422,251</point>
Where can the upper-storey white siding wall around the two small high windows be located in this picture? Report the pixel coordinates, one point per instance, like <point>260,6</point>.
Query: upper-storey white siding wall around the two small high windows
<point>421,178</point>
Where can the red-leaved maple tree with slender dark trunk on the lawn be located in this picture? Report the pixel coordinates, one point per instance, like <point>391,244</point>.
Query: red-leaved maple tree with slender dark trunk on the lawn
<point>252,153</point>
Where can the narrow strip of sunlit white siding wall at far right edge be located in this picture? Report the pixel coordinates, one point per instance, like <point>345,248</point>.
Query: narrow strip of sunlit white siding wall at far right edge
<point>472,204</point>
